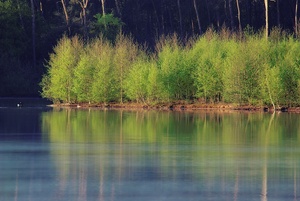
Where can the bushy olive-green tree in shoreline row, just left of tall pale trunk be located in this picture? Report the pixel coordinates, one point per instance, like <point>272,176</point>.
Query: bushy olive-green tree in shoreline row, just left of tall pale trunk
<point>243,74</point>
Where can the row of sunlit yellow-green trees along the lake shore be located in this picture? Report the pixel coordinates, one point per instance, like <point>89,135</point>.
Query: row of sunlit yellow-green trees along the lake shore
<point>212,68</point>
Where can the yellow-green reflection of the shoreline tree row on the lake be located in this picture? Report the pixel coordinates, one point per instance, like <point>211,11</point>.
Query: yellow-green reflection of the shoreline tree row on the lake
<point>238,156</point>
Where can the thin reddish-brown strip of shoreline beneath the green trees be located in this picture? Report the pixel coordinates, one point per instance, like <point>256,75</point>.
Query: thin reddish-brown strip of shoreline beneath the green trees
<point>178,106</point>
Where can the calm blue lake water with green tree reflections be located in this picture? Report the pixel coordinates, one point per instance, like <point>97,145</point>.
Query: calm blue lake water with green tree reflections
<point>118,155</point>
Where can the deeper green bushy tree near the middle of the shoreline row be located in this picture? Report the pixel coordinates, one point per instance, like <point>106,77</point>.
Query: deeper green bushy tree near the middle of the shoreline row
<point>174,70</point>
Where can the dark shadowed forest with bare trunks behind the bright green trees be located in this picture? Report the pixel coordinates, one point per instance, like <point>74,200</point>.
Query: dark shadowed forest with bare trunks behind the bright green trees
<point>29,29</point>
